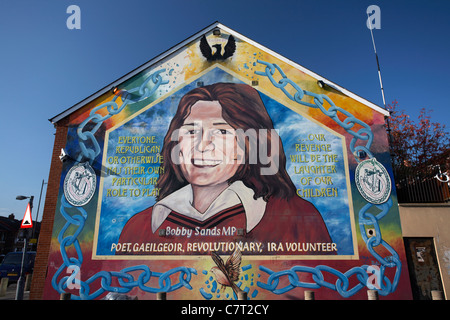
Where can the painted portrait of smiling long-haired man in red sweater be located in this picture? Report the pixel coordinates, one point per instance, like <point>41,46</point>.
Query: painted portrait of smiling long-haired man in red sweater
<point>224,167</point>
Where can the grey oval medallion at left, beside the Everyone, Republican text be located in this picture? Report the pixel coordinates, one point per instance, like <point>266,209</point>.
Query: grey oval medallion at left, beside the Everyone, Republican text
<point>79,184</point>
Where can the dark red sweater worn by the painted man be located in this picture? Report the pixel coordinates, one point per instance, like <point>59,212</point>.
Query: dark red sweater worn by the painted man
<point>286,222</point>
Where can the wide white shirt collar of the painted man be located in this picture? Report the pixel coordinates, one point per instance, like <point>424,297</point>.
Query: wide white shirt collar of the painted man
<point>180,201</point>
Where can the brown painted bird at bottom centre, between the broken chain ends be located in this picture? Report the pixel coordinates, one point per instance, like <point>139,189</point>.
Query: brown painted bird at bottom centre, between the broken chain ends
<point>227,273</point>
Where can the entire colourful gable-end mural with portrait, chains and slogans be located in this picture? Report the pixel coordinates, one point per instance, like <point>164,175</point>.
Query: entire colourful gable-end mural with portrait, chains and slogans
<point>226,168</point>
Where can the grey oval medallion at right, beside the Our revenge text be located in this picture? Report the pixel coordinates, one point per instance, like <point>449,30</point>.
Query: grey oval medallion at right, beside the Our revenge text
<point>373,181</point>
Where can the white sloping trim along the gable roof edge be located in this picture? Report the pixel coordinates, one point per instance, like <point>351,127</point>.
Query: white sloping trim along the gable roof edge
<point>192,38</point>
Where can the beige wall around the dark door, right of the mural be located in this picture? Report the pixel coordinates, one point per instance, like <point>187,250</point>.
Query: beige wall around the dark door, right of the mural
<point>430,221</point>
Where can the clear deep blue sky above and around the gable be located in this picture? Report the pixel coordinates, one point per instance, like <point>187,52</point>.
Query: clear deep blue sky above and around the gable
<point>46,68</point>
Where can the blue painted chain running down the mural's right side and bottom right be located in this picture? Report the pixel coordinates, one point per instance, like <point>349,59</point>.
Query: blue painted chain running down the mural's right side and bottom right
<point>366,219</point>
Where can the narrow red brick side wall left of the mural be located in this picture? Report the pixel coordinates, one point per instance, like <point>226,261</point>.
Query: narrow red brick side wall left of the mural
<point>43,249</point>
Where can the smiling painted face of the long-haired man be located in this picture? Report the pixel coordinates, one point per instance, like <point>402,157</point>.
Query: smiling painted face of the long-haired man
<point>208,146</point>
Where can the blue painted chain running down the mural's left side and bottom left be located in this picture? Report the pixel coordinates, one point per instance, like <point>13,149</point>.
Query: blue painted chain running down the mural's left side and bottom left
<point>73,264</point>
